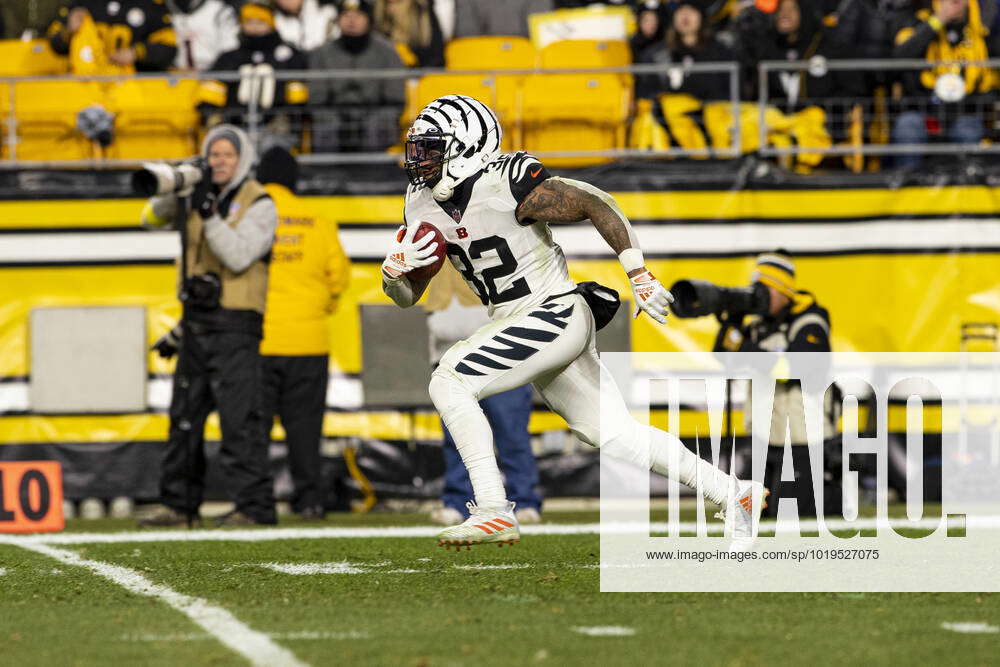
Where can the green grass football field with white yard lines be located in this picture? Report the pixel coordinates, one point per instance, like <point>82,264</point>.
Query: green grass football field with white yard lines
<point>403,601</point>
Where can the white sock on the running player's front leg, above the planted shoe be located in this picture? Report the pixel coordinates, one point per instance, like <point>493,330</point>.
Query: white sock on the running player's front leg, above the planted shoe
<point>474,439</point>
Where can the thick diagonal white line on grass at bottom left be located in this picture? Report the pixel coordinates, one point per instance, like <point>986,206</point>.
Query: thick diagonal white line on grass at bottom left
<point>255,646</point>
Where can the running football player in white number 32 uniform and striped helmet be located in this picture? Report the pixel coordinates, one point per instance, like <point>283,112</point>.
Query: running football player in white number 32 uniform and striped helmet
<point>493,210</point>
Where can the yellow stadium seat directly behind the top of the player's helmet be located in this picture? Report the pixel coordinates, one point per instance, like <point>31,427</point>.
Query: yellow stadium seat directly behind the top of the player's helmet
<point>502,93</point>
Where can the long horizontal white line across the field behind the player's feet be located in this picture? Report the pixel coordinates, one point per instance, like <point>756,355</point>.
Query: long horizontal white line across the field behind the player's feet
<point>269,534</point>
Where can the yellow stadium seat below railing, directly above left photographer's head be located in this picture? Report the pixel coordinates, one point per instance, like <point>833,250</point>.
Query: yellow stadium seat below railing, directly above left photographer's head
<point>155,118</point>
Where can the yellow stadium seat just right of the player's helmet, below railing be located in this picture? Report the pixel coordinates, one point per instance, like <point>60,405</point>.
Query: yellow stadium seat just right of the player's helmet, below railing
<point>575,112</point>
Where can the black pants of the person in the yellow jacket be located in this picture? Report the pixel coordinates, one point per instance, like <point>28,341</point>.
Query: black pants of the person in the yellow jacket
<point>295,390</point>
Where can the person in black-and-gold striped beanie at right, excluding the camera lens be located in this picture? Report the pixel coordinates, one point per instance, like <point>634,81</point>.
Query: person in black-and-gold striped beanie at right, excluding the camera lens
<point>793,322</point>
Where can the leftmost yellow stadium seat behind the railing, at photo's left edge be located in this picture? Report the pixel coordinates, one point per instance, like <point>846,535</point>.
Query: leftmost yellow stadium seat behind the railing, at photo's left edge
<point>46,119</point>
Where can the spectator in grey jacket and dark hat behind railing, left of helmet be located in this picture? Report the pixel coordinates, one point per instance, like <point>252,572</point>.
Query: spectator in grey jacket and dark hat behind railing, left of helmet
<point>356,114</point>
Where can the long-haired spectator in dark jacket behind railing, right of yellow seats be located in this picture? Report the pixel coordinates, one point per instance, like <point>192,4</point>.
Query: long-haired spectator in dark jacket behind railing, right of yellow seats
<point>688,40</point>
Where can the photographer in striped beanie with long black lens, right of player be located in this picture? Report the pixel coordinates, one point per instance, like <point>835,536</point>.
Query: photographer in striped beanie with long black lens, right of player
<point>772,315</point>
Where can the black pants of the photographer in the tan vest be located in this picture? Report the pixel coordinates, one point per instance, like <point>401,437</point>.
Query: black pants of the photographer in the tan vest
<point>218,370</point>
